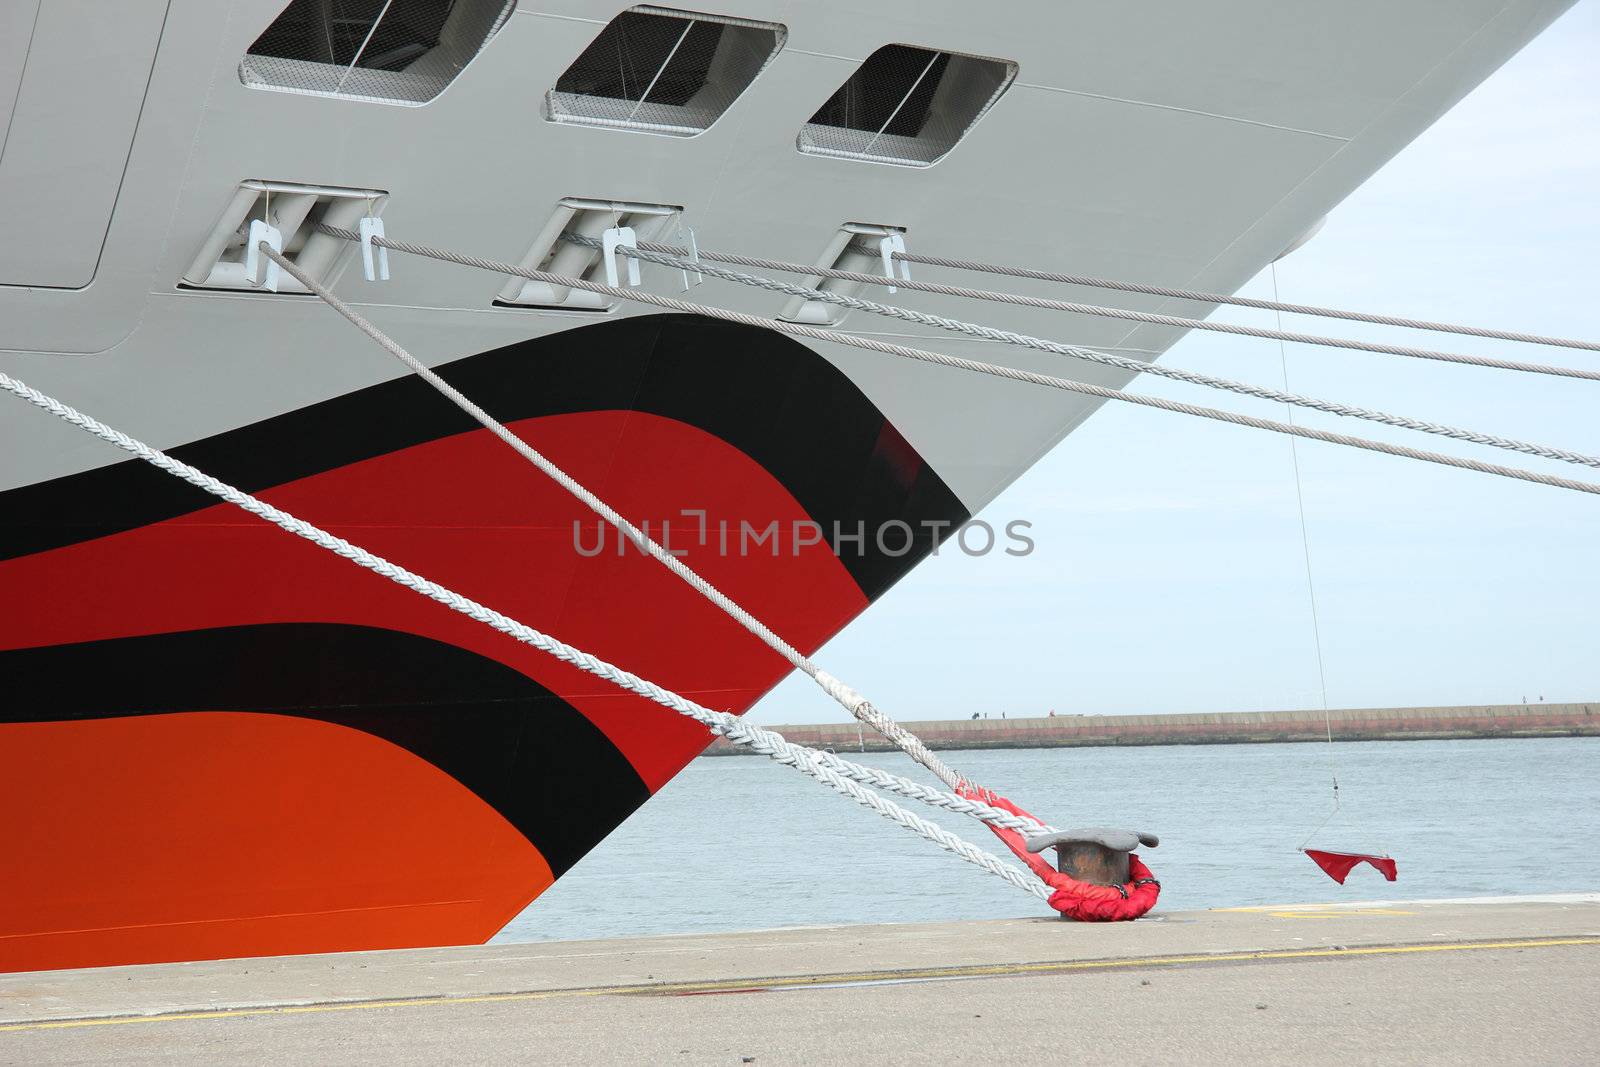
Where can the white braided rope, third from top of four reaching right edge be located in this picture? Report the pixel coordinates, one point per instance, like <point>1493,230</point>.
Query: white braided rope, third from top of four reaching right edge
<point>1092,356</point>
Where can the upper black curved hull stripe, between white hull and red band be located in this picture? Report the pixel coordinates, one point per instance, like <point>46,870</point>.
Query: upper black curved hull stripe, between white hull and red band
<point>770,398</point>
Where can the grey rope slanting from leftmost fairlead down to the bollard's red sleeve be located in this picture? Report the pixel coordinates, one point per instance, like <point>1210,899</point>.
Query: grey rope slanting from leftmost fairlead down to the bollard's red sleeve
<point>847,698</point>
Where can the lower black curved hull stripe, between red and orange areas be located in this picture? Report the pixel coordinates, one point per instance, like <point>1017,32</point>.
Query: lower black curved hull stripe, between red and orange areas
<point>522,749</point>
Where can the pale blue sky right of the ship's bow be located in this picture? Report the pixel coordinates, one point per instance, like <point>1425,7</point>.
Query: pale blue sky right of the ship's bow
<point>1170,573</point>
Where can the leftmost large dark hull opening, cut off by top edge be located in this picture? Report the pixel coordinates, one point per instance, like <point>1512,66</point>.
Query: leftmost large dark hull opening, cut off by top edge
<point>399,52</point>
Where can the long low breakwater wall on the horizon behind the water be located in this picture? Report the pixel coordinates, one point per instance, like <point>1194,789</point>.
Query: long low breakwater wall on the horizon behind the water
<point>1060,732</point>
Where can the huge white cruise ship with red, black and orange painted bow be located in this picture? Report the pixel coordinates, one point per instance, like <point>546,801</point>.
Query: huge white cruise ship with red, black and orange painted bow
<point>222,741</point>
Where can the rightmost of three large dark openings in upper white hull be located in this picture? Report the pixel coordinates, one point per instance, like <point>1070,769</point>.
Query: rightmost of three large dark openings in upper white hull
<point>906,106</point>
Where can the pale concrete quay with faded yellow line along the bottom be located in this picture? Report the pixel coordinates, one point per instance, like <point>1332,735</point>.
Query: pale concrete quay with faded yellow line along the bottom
<point>1396,981</point>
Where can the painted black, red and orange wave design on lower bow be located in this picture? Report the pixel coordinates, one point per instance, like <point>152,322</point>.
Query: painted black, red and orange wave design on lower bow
<point>268,749</point>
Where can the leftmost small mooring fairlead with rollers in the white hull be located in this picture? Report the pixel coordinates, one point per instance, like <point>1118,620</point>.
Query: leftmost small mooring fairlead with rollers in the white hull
<point>297,212</point>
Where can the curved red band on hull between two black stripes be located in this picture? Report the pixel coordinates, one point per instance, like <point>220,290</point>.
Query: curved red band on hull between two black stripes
<point>471,514</point>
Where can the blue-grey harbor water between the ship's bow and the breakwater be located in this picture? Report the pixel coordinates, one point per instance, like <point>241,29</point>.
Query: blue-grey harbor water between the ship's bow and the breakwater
<point>745,844</point>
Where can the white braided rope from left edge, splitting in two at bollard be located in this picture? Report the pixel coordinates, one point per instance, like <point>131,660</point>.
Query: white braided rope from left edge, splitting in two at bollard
<point>825,767</point>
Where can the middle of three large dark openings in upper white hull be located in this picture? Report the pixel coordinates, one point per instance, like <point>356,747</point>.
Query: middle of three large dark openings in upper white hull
<point>663,71</point>
